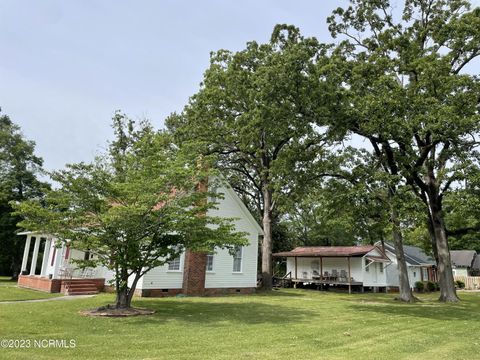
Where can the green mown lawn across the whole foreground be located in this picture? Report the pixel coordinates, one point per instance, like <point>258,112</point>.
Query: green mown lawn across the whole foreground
<point>286,324</point>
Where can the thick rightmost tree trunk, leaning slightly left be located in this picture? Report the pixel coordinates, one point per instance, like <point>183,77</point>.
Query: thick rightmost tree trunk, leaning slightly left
<point>445,274</point>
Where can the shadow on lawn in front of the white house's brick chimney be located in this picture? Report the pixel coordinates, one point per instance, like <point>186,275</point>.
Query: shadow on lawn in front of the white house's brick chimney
<point>212,313</point>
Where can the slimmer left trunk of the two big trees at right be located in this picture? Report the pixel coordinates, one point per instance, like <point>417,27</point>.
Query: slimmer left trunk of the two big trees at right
<point>403,281</point>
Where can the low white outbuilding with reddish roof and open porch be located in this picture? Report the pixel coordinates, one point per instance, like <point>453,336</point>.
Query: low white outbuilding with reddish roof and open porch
<point>339,266</point>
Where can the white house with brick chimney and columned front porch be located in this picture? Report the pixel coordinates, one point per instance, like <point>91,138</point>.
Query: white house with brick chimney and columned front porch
<point>191,273</point>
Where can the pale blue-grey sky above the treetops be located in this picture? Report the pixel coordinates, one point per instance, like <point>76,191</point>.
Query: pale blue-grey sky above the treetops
<point>66,66</point>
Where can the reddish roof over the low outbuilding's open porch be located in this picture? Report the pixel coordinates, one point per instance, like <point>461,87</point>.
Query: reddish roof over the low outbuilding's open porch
<point>332,251</point>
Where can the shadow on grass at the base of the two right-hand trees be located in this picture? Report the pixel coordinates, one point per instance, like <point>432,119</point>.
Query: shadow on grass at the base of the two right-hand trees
<point>466,309</point>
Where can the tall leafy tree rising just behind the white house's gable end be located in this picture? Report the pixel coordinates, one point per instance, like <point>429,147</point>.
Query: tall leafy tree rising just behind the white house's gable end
<point>256,111</point>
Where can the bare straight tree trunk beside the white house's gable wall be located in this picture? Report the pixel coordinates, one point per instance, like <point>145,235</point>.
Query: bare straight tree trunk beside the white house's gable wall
<point>267,239</point>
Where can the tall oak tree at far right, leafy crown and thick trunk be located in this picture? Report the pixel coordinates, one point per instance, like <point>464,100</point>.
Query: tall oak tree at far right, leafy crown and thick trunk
<point>402,84</point>
